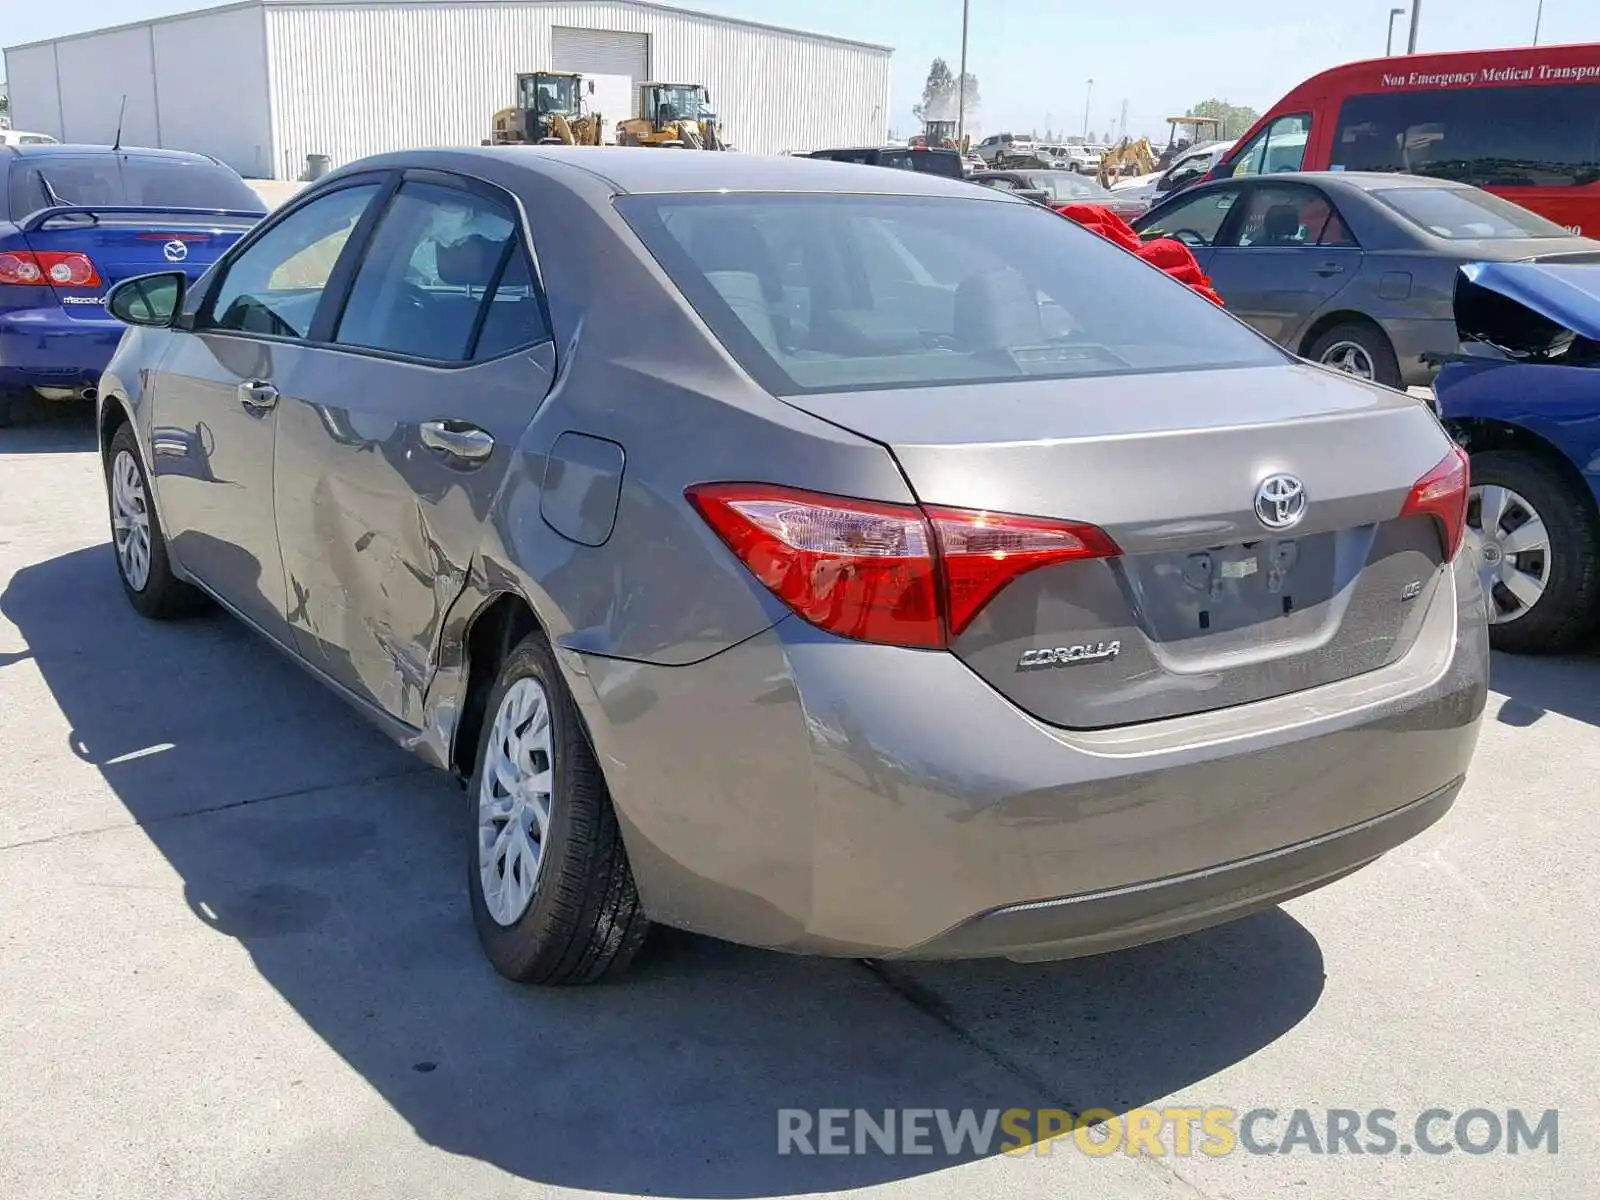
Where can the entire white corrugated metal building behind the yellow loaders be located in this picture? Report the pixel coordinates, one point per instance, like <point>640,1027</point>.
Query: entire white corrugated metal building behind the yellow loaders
<point>266,82</point>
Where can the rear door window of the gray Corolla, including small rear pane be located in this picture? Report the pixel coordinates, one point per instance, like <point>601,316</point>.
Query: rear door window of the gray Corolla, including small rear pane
<point>428,274</point>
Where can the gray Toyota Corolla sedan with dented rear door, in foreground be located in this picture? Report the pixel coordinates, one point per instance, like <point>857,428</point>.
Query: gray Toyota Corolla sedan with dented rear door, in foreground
<point>822,558</point>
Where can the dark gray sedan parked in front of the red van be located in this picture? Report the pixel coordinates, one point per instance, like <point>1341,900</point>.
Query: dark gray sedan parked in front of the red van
<point>1351,270</point>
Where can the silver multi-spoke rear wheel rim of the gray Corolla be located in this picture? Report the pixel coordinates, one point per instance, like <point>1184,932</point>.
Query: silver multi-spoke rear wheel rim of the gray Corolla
<point>514,801</point>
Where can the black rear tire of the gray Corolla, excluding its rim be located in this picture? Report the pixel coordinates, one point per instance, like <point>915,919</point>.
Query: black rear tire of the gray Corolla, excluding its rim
<point>585,921</point>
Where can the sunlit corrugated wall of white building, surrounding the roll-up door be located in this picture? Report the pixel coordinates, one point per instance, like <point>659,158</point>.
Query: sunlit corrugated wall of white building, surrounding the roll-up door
<point>350,82</point>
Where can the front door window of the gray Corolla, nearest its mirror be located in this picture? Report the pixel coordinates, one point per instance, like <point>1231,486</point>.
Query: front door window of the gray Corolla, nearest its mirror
<point>276,284</point>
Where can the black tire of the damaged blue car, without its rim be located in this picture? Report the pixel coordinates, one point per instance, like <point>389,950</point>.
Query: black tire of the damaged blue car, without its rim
<point>1569,610</point>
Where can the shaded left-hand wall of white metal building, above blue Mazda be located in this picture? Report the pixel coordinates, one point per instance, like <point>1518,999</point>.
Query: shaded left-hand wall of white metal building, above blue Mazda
<point>199,84</point>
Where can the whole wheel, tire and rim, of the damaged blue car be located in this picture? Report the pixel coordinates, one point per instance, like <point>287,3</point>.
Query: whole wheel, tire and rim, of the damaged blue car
<point>1538,553</point>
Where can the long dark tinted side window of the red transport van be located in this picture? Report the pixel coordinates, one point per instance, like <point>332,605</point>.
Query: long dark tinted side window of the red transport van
<point>1530,137</point>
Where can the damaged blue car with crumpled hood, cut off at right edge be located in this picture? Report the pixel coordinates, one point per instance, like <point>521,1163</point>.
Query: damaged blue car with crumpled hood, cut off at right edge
<point>1524,399</point>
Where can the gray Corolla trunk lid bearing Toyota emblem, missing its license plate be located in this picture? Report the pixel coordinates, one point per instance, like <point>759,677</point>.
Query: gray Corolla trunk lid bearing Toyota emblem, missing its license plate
<point>1207,606</point>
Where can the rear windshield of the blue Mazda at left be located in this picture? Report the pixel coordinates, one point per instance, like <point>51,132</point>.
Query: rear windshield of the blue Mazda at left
<point>111,180</point>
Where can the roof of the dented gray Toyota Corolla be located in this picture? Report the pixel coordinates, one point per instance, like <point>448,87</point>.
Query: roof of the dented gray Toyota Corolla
<point>625,170</point>
